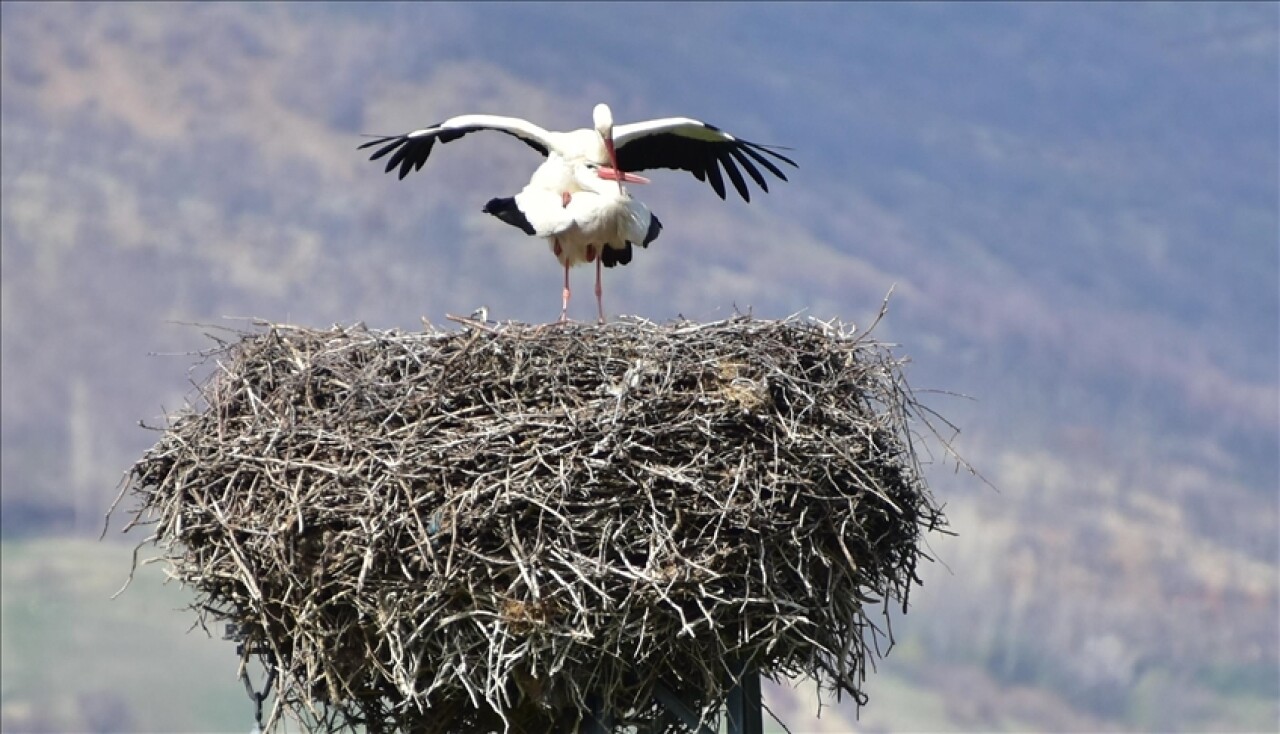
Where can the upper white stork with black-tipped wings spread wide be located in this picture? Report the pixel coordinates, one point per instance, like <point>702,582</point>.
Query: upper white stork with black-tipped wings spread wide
<point>684,144</point>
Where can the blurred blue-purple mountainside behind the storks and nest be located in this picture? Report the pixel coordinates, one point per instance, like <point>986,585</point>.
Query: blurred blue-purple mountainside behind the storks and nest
<point>1077,206</point>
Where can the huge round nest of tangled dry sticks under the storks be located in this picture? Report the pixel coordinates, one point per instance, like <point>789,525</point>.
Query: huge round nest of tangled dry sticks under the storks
<point>504,526</point>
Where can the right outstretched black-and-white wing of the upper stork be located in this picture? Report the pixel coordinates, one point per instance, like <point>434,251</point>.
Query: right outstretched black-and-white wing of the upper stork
<point>698,148</point>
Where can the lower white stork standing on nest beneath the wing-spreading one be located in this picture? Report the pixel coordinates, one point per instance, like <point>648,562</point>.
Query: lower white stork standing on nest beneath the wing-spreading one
<point>588,224</point>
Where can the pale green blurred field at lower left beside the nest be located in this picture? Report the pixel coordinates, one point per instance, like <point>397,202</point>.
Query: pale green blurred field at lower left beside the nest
<point>76,660</point>
